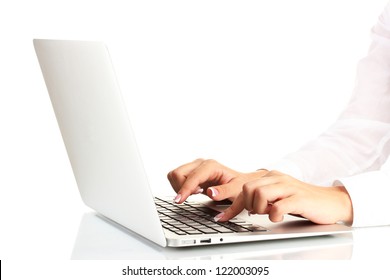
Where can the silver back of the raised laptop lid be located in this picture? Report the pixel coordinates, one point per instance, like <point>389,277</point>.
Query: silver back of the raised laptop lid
<point>97,133</point>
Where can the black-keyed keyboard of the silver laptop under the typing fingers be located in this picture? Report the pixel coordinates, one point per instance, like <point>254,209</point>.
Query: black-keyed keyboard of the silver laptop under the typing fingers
<point>194,218</point>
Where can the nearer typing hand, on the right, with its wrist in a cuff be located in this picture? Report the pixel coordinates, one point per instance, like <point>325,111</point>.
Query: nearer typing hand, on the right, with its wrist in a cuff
<point>277,194</point>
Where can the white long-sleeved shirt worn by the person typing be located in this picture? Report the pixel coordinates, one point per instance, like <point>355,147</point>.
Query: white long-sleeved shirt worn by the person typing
<point>358,143</point>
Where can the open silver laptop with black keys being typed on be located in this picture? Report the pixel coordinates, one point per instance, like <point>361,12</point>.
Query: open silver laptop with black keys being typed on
<point>108,167</point>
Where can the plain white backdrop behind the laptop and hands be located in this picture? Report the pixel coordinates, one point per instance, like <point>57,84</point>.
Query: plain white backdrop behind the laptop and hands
<point>243,82</point>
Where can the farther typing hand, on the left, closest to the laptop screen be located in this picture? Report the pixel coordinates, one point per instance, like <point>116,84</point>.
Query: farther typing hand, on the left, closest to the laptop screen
<point>210,177</point>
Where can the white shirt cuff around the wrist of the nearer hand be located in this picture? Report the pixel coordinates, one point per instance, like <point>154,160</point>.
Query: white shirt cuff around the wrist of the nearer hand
<point>369,193</point>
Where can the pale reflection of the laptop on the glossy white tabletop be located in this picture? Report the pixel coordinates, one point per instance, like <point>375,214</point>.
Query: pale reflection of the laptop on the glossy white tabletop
<point>99,238</point>
